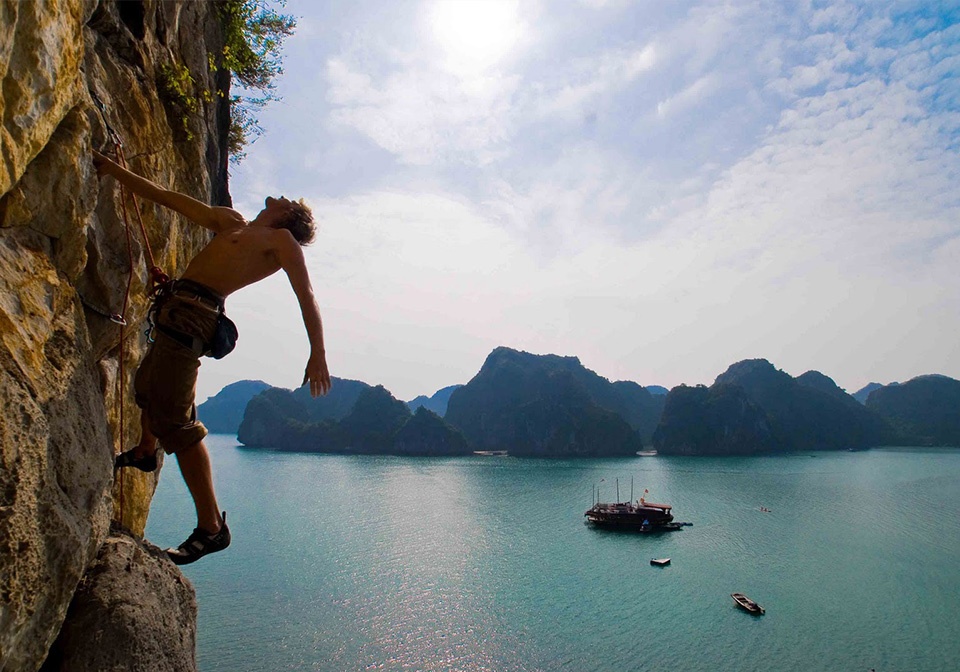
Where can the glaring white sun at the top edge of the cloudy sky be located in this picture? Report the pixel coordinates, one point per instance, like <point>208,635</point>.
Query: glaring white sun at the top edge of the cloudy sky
<point>475,34</point>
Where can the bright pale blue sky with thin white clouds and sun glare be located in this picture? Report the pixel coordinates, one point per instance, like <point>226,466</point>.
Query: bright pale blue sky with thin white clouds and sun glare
<point>658,188</point>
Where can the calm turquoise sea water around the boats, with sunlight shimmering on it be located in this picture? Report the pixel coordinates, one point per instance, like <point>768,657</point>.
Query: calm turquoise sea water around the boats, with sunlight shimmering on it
<point>383,563</point>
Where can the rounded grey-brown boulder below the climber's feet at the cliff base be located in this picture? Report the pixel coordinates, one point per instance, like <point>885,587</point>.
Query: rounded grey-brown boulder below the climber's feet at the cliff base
<point>134,611</point>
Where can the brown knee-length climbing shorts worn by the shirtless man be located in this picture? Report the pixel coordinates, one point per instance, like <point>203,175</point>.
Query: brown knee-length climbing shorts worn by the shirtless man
<point>166,383</point>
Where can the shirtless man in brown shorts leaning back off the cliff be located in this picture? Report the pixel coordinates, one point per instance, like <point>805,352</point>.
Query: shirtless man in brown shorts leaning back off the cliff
<point>187,318</point>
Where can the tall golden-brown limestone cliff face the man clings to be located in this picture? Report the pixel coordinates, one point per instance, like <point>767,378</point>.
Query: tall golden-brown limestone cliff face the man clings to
<point>64,268</point>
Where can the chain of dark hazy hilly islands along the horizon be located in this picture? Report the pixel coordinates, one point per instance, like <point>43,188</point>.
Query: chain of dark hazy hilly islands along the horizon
<point>552,406</point>
